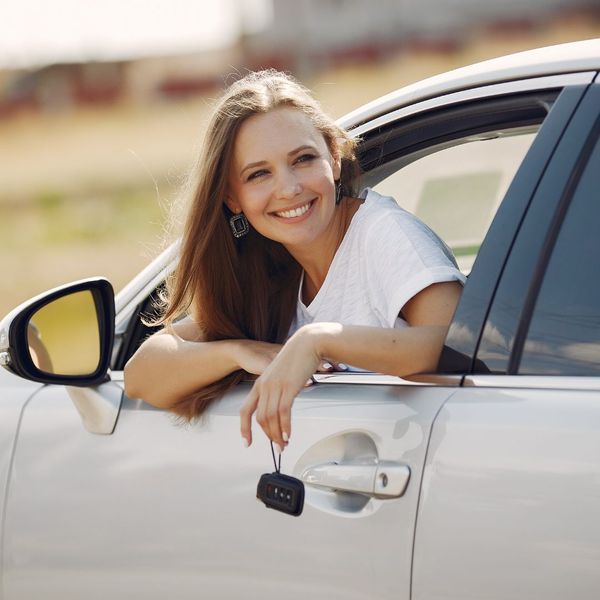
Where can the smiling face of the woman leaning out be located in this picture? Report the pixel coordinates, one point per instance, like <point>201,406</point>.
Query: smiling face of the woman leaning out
<point>282,177</point>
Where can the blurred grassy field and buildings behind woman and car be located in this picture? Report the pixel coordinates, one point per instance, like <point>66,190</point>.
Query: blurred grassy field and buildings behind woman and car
<point>95,149</point>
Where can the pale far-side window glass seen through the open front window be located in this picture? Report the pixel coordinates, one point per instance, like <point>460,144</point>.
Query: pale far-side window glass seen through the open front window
<point>456,190</point>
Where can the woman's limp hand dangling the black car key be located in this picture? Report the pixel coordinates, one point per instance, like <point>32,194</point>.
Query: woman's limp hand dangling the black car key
<point>274,391</point>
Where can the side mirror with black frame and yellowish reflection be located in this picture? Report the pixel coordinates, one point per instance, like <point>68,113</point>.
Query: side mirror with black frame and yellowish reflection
<point>64,336</point>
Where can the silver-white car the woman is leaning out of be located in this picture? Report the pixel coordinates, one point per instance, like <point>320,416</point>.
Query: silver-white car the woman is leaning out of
<point>480,480</point>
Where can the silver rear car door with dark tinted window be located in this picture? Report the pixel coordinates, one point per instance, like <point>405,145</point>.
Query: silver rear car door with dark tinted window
<point>509,504</point>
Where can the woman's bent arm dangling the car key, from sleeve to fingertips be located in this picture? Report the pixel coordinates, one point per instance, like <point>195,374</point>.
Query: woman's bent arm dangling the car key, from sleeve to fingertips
<point>391,351</point>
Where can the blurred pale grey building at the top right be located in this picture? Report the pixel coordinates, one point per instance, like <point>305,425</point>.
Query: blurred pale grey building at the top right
<point>306,32</point>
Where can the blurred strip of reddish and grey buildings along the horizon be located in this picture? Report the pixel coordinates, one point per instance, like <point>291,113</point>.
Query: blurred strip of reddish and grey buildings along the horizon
<point>299,36</point>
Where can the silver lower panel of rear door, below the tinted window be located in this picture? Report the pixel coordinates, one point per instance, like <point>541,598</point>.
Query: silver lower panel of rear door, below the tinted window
<point>509,505</point>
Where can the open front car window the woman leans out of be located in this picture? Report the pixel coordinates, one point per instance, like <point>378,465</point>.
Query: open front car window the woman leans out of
<point>450,167</point>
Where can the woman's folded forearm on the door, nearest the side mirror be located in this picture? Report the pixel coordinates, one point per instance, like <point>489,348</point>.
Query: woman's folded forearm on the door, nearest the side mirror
<point>175,362</point>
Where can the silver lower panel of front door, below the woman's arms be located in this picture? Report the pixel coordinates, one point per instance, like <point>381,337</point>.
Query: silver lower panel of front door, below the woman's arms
<point>157,507</point>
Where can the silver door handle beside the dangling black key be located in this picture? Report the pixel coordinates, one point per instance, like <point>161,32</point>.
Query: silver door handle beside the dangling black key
<point>381,480</point>
